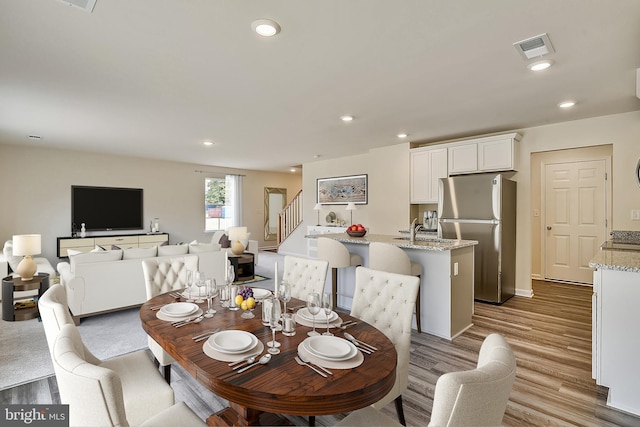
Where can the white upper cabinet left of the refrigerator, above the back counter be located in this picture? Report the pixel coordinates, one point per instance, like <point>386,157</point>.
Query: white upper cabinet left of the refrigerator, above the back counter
<point>428,165</point>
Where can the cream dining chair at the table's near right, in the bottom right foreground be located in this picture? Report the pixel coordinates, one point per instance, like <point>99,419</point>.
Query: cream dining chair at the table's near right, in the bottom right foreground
<point>477,397</point>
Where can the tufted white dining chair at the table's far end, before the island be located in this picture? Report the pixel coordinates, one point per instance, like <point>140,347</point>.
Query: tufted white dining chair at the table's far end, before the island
<point>304,275</point>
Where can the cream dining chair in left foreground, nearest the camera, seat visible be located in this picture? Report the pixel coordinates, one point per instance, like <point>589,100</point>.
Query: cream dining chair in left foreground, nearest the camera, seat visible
<point>118,392</point>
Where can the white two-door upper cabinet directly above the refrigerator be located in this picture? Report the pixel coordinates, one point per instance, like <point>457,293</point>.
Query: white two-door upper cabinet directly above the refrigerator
<point>489,154</point>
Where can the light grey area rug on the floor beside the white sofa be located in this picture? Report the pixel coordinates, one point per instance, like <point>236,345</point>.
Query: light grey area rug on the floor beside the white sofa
<point>25,355</point>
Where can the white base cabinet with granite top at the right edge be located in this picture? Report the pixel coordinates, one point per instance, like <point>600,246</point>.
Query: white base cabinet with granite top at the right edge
<point>615,315</point>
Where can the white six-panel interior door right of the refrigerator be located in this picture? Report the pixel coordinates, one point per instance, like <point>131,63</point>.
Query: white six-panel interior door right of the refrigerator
<point>575,218</point>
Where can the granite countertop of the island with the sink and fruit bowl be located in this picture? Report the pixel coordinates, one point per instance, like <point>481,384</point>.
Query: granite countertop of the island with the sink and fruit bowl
<point>426,243</point>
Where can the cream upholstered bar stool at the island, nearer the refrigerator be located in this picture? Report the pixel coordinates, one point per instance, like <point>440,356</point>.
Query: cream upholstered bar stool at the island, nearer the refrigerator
<point>392,259</point>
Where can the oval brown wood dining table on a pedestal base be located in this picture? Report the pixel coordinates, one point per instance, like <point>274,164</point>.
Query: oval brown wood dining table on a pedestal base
<point>282,386</point>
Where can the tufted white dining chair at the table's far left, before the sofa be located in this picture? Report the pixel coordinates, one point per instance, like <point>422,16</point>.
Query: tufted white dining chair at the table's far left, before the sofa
<point>162,276</point>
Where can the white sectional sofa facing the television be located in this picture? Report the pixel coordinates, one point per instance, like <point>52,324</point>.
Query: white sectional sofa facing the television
<point>102,281</point>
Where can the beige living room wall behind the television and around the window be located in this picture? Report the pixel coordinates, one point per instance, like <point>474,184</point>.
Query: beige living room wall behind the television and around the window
<point>36,190</point>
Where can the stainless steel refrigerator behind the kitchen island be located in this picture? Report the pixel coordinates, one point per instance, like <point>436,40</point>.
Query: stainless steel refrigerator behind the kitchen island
<point>482,207</point>
